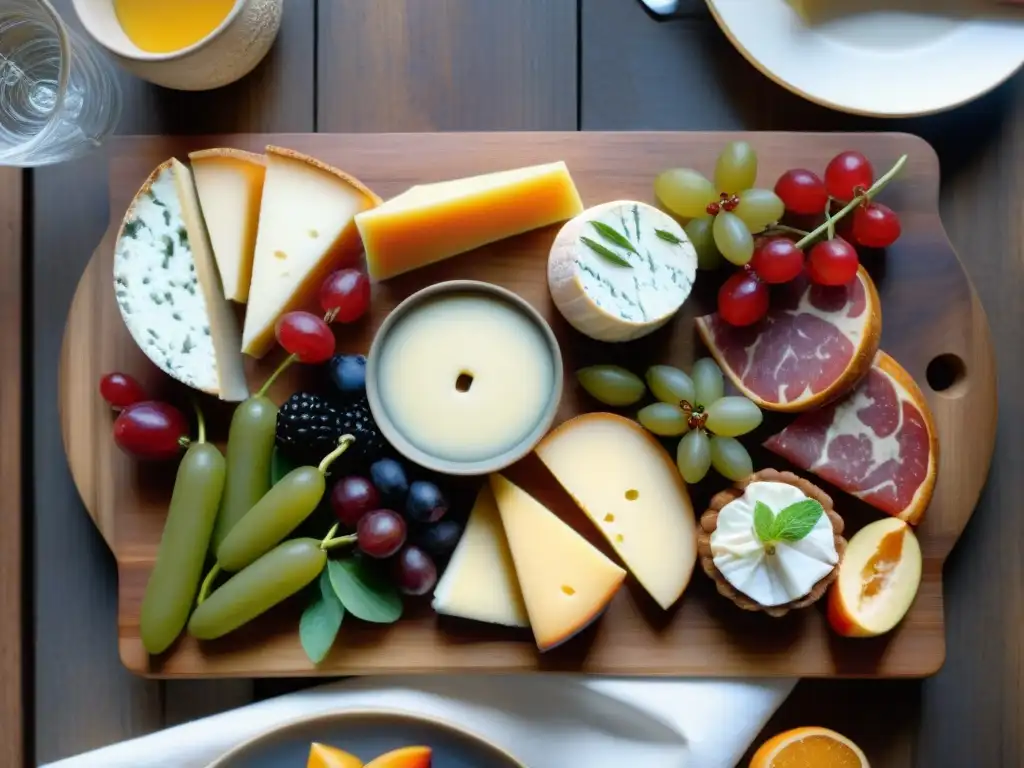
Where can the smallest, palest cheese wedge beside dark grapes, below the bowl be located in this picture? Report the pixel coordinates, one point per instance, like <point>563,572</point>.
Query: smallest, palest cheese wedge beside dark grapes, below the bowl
<point>480,582</point>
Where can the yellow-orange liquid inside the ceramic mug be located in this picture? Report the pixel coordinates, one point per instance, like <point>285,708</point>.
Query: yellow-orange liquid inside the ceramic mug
<point>167,26</point>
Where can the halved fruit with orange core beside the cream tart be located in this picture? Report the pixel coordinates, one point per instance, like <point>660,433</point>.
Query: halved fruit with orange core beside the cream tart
<point>878,580</point>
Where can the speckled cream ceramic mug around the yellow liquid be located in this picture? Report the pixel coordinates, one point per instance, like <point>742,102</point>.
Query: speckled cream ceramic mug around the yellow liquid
<point>227,55</point>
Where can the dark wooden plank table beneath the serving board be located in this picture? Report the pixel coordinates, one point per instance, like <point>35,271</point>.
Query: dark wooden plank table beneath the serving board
<point>471,65</point>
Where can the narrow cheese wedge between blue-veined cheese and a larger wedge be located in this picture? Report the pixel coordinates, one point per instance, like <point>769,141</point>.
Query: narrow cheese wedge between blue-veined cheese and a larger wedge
<point>231,187</point>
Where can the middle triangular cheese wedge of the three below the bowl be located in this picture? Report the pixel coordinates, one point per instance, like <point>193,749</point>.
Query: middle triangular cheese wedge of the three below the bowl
<point>566,582</point>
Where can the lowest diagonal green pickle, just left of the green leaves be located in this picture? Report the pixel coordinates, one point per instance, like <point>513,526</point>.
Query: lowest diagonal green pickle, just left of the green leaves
<point>274,578</point>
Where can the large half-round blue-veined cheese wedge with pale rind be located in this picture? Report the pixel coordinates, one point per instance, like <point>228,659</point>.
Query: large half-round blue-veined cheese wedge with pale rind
<point>168,289</point>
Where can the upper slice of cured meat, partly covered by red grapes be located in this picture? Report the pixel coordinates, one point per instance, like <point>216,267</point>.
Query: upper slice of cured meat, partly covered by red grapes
<point>815,345</point>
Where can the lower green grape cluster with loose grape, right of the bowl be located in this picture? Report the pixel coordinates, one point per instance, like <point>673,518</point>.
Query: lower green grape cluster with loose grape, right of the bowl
<point>694,407</point>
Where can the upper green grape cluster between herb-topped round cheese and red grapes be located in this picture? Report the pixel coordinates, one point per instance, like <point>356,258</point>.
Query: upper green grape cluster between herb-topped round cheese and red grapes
<point>726,215</point>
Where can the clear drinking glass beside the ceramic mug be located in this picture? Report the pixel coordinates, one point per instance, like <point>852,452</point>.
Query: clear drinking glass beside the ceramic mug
<point>59,95</point>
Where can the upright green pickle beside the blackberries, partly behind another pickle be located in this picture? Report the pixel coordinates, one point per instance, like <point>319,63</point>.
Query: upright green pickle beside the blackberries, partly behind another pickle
<point>250,445</point>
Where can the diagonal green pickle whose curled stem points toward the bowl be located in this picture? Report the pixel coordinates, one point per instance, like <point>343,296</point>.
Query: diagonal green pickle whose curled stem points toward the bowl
<point>290,502</point>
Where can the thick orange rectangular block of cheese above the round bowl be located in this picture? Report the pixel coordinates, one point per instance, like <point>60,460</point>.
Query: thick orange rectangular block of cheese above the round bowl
<point>432,223</point>
